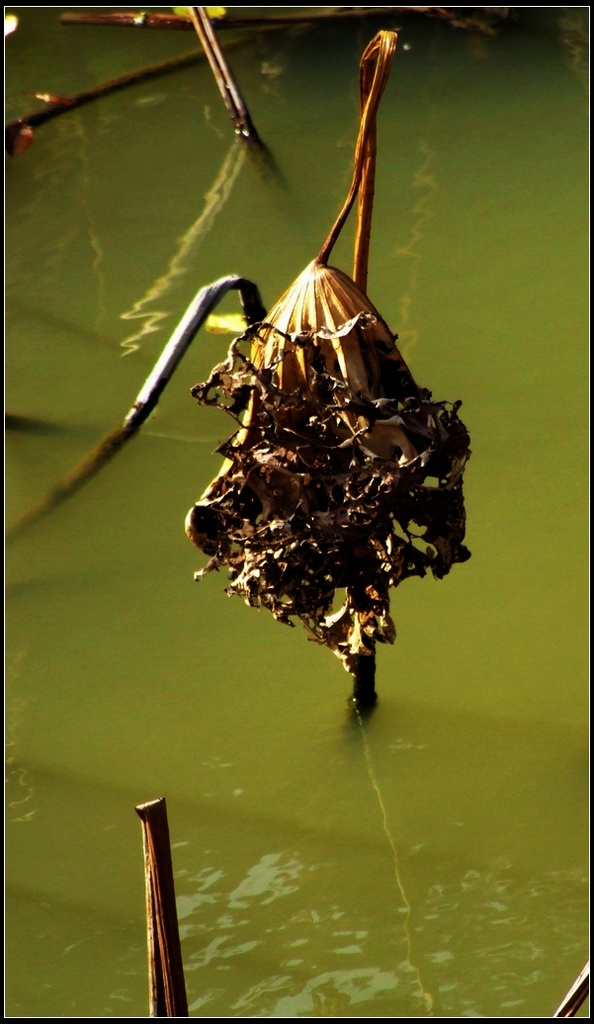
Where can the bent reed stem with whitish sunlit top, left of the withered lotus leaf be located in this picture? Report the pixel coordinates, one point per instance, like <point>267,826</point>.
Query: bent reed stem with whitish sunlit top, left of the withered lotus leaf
<point>152,391</point>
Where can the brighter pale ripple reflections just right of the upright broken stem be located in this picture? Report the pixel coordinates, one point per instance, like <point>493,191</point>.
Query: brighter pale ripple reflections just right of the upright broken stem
<point>292,941</point>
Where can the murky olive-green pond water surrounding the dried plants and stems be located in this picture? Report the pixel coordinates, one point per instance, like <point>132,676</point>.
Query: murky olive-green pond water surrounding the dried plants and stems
<point>431,860</point>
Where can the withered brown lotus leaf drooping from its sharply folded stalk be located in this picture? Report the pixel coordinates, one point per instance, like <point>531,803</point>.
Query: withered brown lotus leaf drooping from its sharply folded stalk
<point>344,477</point>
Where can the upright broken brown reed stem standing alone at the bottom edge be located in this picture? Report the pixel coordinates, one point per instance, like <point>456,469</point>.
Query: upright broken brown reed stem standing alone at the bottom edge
<point>167,996</point>
